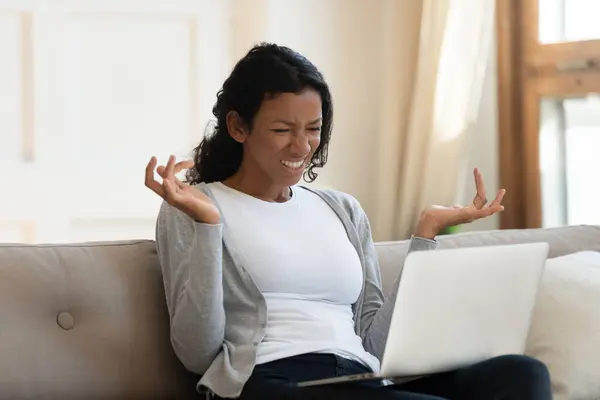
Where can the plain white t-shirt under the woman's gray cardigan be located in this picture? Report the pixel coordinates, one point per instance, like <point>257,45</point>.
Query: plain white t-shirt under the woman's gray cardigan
<point>299,255</point>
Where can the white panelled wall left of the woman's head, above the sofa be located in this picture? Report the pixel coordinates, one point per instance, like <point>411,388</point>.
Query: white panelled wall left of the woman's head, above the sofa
<point>94,88</point>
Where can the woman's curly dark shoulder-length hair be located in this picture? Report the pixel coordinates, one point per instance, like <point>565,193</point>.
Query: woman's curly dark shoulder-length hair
<point>266,71</point>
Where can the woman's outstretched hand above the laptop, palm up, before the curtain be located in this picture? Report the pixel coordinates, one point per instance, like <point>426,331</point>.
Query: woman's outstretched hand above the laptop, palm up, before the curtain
<point>435,218</point>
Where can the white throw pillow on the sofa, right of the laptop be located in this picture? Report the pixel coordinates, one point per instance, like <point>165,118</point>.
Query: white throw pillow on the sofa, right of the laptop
<point>565,330</point>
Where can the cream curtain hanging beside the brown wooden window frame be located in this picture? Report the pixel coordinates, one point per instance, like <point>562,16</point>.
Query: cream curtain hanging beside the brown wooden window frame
<point>434,91</point>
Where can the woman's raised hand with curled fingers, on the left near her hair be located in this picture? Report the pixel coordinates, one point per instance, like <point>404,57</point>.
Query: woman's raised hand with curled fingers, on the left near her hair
<point>182,196</point>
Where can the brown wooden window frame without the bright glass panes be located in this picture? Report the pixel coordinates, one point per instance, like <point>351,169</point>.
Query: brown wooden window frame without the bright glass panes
<point>527,72</point>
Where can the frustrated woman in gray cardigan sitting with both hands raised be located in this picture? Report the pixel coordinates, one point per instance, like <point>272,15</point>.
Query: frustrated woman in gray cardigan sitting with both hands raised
<point>252,262</point>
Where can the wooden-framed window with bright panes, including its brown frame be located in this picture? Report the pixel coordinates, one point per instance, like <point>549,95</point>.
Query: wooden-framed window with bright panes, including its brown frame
<point>549,81</point>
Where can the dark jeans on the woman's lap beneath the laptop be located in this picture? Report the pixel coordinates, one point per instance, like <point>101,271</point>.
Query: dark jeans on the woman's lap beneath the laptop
<point>501,378</point>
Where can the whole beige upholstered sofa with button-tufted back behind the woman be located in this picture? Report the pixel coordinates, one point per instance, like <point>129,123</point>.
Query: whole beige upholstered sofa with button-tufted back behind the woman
<point>88,321</point>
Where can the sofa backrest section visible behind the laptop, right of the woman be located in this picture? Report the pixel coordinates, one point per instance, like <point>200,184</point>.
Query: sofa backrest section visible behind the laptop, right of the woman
<point>563,240</point>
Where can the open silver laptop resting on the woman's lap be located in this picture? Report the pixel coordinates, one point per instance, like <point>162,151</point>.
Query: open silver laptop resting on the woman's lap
<point>457,307</point>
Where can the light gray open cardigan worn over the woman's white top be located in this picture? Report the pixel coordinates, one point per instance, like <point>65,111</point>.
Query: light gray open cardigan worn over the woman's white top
<point>217,313</point>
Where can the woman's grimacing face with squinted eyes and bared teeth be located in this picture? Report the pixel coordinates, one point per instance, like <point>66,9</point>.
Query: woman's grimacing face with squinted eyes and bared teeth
<point>285,134</point>
